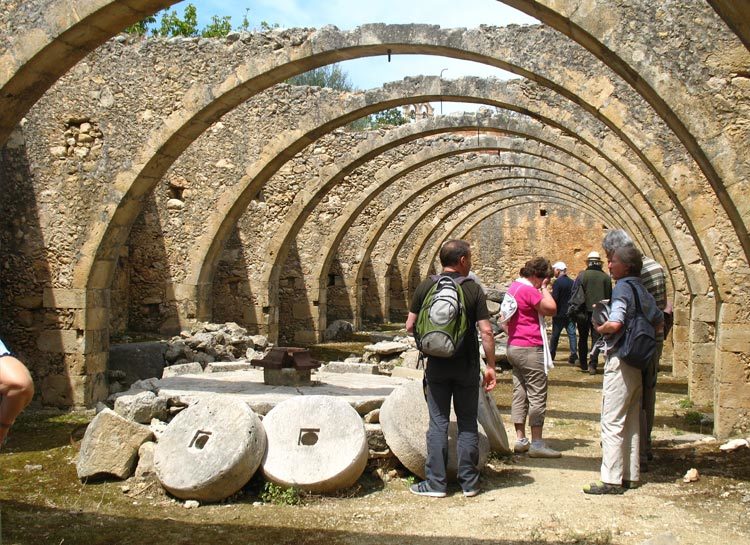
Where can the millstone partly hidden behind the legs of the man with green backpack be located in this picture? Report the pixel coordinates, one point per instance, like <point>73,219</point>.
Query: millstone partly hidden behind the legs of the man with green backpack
<point>404,419</point>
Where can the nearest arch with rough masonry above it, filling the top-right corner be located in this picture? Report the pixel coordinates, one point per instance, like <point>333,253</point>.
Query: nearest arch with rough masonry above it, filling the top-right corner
<point>693,108</point>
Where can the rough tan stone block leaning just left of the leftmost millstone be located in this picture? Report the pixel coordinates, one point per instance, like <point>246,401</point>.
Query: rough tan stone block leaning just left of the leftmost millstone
<point>110,446</point>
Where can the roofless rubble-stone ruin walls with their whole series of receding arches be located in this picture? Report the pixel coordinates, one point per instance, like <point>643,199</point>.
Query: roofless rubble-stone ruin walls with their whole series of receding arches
<point>135,196</point>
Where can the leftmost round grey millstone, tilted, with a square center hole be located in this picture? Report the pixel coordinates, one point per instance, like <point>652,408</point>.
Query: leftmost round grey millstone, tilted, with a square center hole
<point>210,450</point>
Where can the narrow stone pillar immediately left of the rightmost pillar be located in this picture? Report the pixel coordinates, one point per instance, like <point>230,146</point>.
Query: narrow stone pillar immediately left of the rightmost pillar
<point>701,336</point>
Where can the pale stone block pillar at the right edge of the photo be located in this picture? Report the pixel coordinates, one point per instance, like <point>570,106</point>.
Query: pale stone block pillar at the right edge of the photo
<point>732,372</point>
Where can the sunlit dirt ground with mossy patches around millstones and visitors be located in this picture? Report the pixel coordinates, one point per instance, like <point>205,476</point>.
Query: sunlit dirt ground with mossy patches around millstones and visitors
<point>524,500</point>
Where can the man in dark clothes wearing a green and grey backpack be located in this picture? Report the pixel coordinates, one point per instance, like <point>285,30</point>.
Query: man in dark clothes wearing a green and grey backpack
<point>454,373</point>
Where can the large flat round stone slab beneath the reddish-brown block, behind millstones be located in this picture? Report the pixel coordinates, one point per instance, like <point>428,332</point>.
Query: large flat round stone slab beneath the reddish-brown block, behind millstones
<point>363,392</point>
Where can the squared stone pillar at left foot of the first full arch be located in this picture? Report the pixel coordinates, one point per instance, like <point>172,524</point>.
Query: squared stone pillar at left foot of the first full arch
<point>77,335</point>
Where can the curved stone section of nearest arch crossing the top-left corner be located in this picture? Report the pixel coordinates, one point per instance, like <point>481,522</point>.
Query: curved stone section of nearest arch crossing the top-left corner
<point>38,55</point>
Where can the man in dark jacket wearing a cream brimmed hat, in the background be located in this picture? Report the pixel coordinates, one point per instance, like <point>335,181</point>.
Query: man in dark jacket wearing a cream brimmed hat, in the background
<point>597,285</point>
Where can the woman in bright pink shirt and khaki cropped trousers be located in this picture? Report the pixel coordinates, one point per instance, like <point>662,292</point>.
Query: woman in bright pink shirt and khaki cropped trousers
<point>529,355</point>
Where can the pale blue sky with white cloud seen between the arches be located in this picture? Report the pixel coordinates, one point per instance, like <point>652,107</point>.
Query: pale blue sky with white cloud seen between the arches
<point>369,73</point>
